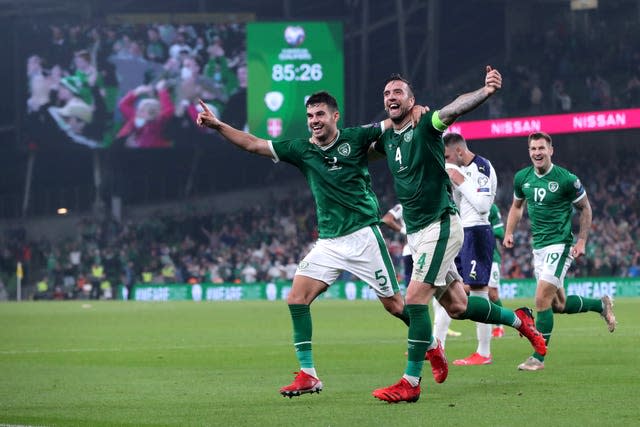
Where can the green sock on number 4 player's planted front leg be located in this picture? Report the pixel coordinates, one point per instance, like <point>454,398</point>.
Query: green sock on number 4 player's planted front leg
<point>419,337</point>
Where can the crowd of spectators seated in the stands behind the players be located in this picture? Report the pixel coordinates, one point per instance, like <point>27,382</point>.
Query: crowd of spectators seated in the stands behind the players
<point>263,242</point>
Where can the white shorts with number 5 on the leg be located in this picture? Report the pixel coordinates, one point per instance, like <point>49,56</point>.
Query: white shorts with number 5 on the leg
<point>362,253</point>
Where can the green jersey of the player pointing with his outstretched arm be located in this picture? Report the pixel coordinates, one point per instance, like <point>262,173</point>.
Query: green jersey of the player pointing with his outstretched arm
<point>338,177</point>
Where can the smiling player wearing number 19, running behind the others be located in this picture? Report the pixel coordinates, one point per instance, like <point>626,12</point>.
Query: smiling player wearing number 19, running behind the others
<point>551,193</point>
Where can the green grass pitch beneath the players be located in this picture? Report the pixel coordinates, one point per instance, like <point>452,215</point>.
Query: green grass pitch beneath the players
<point>201,364</point>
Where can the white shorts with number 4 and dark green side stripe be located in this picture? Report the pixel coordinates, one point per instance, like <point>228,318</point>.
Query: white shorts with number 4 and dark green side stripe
<point>434,249</point>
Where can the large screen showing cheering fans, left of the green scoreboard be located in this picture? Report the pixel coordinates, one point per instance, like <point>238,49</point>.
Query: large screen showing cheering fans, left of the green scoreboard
<point>133,81</point>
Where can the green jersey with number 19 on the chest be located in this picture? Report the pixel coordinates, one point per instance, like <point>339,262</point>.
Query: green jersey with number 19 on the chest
<point>550,199</point>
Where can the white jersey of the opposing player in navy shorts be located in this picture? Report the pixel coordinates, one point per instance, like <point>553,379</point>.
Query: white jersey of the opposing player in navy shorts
<point>475,195</point>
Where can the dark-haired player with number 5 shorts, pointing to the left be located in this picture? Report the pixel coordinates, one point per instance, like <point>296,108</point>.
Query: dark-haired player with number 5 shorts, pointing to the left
<point>335,164</point>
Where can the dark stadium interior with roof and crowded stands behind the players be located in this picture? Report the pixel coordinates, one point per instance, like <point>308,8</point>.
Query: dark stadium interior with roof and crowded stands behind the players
<point>209,210</point>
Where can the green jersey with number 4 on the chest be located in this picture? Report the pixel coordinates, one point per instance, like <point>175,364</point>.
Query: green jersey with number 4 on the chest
<point>416,160</point>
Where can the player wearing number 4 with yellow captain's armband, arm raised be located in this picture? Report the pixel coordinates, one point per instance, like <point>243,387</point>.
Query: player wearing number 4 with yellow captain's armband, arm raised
<point>415,157</point>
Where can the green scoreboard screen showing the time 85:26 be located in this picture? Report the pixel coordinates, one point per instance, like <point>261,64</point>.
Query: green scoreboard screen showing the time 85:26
<point>287,62</point>
